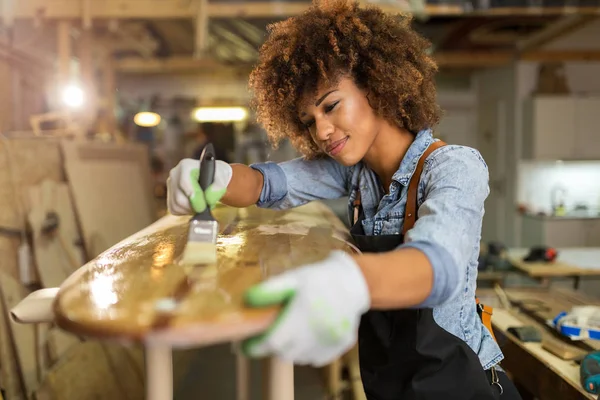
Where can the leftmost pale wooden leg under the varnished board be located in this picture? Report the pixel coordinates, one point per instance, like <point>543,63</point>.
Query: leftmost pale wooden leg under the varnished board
<point>159,372</point>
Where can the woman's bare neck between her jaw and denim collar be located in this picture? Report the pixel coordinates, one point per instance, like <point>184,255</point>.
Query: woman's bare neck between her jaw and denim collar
<point>387,151</point>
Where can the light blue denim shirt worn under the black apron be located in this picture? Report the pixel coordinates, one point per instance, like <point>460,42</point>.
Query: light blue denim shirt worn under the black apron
<point>451,195</point>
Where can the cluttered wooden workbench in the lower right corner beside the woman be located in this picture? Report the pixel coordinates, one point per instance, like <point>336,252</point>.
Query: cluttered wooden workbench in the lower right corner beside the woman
<point>537,372</point>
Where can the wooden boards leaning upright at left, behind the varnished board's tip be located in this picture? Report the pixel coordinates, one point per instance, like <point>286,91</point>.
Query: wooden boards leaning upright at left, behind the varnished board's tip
<point>69,201</point>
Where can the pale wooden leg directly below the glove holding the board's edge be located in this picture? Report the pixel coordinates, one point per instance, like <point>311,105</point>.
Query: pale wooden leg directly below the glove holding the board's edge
<point>278,380</point>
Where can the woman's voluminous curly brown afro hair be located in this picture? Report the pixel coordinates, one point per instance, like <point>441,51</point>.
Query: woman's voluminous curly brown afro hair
<point>381,52</point>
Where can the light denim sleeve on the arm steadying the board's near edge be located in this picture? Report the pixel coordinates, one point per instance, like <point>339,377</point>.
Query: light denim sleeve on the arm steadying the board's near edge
<point>448,228</point>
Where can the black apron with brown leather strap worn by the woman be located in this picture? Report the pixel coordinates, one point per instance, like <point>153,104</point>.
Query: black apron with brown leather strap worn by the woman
<point>404,354</point>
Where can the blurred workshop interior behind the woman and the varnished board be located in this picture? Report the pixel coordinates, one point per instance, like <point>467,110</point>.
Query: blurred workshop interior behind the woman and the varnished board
<point>99,99</point>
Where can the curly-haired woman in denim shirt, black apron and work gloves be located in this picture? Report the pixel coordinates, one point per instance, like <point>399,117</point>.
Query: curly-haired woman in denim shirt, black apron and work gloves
<point>353,89</point>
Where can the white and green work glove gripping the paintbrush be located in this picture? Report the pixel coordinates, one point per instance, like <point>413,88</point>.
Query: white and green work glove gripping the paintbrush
<point>184,195</point>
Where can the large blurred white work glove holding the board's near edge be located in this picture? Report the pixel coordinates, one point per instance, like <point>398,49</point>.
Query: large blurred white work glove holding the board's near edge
<point>322,304</point>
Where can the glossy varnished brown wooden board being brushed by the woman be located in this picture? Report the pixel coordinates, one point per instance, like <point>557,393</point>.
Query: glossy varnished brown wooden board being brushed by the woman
<point>136,290</point>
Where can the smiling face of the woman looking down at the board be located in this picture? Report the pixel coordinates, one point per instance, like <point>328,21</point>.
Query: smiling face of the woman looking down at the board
<point>340,121</point>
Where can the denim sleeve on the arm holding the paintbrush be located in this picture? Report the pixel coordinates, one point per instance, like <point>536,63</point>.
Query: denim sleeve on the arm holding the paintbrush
<point>298,181</point>
